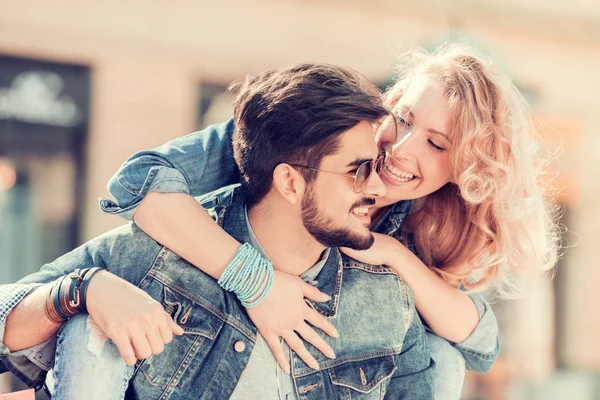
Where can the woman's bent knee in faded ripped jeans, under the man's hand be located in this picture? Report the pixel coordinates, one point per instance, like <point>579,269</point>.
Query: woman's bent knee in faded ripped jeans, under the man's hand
<point>88,365</point>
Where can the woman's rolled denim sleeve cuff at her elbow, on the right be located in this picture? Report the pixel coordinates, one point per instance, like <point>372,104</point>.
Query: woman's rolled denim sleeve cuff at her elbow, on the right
<point>481,348</point>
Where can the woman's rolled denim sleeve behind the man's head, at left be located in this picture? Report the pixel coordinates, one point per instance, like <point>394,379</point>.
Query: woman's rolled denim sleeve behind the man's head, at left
<point>196,164</point>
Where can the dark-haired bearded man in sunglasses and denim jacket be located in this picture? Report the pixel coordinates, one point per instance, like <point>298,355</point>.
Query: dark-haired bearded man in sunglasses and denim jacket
<point>304,144</point>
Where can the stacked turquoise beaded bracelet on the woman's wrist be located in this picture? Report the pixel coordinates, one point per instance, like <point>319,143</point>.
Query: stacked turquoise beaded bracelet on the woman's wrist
<point>249,275</point>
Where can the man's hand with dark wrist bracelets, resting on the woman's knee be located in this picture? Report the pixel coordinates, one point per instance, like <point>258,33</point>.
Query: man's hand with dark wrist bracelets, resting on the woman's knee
<point>136,322</point>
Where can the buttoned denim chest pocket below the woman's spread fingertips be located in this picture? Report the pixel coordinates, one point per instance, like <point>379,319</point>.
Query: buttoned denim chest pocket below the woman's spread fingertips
<point>364,379</point>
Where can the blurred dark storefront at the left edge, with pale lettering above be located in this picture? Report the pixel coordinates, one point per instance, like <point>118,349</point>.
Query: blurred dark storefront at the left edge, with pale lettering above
<point>43,129</point>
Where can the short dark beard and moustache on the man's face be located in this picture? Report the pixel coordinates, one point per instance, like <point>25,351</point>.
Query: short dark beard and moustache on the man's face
<point>327,232</point>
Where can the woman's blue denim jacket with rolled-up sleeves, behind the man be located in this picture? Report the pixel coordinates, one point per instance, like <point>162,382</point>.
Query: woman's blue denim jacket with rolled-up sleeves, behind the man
<point>202,162</point>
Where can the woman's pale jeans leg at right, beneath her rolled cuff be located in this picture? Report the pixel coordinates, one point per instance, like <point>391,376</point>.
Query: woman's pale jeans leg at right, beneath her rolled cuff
<point>449,368</point>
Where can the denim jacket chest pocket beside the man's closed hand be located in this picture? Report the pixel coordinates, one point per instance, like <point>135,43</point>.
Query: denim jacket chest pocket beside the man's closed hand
<point>185,354</point>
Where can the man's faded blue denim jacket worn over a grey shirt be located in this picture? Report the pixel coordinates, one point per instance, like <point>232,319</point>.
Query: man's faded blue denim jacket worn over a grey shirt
<point>382,351</point>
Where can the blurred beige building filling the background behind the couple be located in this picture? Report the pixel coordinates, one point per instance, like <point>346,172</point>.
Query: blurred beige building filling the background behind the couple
<point>84,85</point>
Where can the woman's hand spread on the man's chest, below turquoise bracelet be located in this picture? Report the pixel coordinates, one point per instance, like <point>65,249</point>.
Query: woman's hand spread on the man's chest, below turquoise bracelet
<point>285,313</point>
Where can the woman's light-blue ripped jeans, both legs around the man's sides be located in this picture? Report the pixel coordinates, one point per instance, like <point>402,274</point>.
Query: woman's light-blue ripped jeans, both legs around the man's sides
<point>89,366</point>
